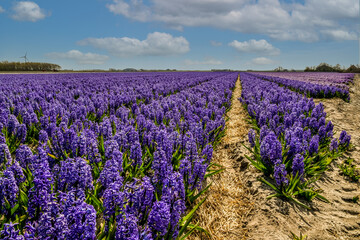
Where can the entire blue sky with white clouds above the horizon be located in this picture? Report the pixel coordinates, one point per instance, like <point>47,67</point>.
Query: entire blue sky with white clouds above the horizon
<point>181,34</point>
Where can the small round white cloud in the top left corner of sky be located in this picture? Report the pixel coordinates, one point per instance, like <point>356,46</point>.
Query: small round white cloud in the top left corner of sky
<point>28,11</point>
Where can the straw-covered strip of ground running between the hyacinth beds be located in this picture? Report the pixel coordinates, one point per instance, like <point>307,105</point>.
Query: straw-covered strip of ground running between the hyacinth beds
<point>229,202</point>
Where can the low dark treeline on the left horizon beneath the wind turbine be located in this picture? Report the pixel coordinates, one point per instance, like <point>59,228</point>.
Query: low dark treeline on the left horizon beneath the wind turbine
<point>28,66</point>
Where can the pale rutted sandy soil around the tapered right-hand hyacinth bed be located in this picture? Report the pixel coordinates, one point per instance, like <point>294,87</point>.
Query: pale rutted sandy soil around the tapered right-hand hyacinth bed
<point>339,219</point>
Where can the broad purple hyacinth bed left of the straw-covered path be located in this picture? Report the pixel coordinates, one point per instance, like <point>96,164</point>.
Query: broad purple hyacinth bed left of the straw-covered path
<point>107,155</point>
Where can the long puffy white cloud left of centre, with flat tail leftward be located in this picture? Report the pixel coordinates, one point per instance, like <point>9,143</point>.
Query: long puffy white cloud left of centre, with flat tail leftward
<point>156,44</point>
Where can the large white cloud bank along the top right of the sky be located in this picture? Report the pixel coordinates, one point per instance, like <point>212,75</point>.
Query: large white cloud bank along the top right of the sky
<point>277,19</point>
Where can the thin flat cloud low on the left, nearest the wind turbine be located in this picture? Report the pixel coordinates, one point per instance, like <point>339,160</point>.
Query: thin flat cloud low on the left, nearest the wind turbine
<point>82,58</point>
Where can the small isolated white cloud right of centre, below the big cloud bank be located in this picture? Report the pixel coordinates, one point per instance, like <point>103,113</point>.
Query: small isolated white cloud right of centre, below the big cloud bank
<point>255,46</point>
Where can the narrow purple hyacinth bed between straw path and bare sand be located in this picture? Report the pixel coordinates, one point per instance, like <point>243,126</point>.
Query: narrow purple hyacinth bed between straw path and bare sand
<point>290,139</point>
